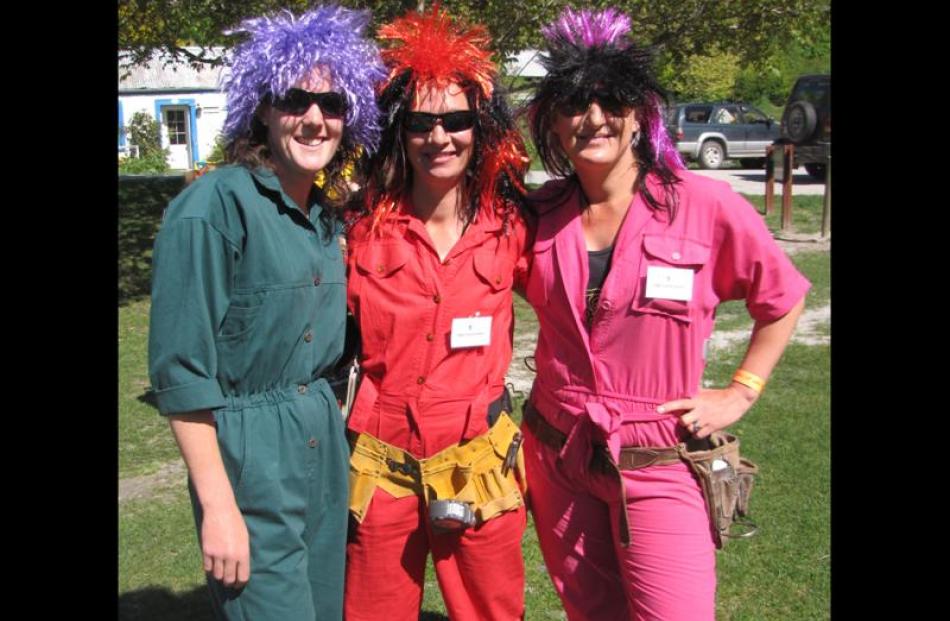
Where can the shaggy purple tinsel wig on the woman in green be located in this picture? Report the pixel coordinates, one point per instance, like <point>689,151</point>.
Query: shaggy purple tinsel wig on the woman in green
<point>283,49</point>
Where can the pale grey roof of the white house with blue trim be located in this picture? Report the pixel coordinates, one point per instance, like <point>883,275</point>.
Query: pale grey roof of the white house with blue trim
<point>179,75</point>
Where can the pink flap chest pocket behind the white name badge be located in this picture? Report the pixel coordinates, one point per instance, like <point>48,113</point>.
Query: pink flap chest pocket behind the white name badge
<point>669,252</point>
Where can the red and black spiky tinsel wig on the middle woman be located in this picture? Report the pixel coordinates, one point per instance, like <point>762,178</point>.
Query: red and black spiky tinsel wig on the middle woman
<point>431,50</point>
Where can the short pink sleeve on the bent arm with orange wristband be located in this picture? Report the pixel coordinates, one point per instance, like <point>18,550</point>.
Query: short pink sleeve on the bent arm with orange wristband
<point>751,266</point>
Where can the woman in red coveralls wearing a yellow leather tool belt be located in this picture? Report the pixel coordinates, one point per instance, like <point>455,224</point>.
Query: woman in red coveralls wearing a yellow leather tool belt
<point>432,262</point>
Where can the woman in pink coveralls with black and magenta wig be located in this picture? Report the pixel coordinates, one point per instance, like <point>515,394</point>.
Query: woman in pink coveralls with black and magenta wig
<point>632,256</point>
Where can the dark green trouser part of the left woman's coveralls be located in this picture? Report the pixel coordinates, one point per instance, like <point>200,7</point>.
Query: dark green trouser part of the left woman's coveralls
<point>287,458</point>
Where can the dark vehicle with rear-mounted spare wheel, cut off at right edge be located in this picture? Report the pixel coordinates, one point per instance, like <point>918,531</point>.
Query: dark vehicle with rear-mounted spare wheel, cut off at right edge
<point>806,123</point>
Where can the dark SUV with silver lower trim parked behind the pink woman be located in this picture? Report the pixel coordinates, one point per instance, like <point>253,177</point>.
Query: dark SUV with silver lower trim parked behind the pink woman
<point>714,132</point>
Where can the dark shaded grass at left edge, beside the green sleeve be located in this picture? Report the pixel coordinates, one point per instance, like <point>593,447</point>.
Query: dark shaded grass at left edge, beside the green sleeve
<point>141,203</point>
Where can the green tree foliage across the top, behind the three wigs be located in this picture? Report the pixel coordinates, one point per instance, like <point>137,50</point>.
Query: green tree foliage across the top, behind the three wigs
<point>678,29</point>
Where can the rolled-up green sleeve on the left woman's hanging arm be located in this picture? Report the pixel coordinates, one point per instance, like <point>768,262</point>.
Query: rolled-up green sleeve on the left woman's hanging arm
<point>193,267</point>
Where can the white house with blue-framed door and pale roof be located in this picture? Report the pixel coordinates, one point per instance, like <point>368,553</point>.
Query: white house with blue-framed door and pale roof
<point>187,102</point>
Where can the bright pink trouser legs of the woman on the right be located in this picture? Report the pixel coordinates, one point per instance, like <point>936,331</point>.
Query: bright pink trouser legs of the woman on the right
<point>668,572</point>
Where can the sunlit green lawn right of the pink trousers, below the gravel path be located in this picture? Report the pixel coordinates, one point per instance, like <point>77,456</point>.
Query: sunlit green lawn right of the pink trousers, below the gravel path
<point>784,571</point>
